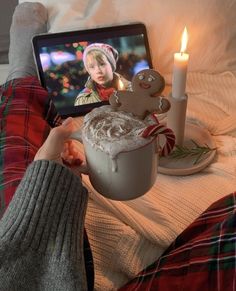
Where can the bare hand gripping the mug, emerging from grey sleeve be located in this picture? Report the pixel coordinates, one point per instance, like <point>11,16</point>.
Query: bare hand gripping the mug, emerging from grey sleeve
<point>59,148</point>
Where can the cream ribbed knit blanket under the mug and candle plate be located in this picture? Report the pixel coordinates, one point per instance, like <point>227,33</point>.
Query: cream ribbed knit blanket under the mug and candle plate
<point>127,236</point>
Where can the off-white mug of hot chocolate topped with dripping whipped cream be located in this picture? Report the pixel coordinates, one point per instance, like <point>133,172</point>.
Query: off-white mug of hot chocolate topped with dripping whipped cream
<point>122,164</point>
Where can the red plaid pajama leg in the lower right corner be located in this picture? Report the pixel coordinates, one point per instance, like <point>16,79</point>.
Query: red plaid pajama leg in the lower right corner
<point>202,258</point>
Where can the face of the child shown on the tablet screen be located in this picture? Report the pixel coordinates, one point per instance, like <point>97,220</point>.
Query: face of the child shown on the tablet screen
<point>99,69</point>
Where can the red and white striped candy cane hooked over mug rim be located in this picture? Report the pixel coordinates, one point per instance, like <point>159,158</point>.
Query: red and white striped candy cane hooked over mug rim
<point>155,130</point>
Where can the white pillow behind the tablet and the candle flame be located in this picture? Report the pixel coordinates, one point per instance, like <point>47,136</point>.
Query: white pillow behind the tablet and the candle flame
<point>211,26</point>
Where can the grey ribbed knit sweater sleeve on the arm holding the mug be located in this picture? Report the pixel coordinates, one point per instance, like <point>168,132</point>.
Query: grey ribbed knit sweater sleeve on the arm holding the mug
<point>41,232</point>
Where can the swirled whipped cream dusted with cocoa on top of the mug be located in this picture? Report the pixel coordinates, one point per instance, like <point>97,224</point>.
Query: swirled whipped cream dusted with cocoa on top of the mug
<point>114,131</point>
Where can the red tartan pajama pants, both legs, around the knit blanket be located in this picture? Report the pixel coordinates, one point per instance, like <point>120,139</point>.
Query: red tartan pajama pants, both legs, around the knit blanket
<point>203,257</point>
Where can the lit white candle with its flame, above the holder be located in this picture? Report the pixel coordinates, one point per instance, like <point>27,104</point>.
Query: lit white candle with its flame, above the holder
<point>180,68</point>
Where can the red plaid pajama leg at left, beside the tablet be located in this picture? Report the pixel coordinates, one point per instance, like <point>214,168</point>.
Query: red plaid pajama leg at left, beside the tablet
<point>25,111</point>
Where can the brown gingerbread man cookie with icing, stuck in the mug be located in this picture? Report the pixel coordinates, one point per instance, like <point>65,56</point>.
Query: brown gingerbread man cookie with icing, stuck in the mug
<point>143,100</point>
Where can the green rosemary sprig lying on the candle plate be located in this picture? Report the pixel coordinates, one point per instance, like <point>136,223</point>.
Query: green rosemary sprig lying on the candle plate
<point>197,151</point>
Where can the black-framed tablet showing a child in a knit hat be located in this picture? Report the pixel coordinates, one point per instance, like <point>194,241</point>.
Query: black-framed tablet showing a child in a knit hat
<point>81,69</point>
